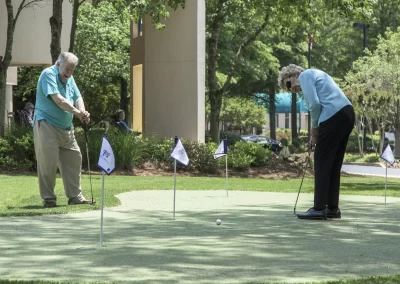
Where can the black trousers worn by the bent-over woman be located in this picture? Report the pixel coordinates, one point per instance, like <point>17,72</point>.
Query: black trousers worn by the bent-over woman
<point>333,135</point>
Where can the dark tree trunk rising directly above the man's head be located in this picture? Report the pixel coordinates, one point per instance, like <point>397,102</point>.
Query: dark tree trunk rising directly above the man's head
<point>56,28</point>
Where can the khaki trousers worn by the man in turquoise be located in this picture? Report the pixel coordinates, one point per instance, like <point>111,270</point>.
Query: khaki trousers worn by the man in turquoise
<point>57,147</point>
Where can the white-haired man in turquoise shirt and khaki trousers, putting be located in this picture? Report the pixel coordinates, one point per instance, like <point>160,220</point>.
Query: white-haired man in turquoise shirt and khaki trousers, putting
<point>57,101</point>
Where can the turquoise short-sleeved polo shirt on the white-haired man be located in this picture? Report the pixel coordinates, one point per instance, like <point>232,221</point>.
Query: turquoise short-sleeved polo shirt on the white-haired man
<point>45,108</point>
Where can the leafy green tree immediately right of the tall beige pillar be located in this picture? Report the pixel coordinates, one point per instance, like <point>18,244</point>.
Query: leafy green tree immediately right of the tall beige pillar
<point>239,23</point>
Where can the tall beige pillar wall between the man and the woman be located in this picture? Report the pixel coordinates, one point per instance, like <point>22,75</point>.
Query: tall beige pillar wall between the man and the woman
<point>174,73</point>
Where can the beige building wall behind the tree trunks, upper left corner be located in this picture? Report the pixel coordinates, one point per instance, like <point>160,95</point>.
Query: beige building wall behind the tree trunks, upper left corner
<point>32,32</point>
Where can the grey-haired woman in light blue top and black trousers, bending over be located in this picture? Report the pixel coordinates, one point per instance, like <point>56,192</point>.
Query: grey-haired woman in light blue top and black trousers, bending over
<point>332,118</point>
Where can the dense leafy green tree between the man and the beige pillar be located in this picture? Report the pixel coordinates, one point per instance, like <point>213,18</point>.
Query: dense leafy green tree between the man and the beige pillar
<point>103,48</point>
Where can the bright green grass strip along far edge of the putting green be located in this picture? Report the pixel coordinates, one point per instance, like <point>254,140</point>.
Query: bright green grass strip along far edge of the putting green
<point>19,194</point>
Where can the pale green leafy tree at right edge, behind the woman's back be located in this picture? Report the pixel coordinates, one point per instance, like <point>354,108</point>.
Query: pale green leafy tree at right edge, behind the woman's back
<point>374,87</point>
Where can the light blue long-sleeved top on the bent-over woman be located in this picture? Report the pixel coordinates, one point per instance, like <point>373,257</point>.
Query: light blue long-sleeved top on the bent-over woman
<point>322,95</point>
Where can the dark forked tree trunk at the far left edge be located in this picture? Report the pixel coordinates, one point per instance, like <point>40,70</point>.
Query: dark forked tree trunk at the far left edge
<point>5,60</point>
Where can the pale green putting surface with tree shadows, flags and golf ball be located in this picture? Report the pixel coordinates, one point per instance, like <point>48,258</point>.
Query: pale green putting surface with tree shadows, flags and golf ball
<point>259,240</point>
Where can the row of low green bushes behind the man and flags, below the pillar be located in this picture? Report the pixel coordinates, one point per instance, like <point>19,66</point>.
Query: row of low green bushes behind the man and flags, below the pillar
<point>17,151</point>
